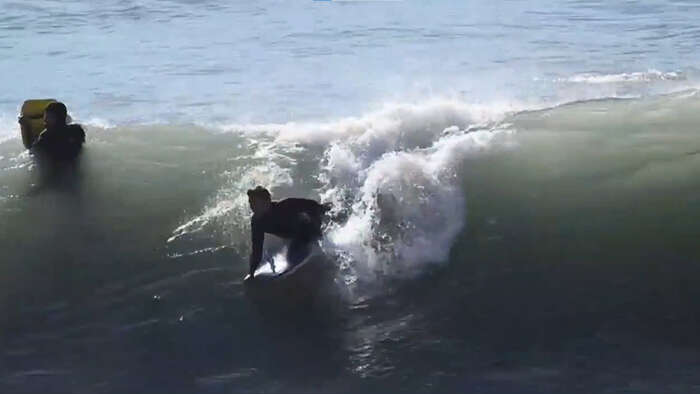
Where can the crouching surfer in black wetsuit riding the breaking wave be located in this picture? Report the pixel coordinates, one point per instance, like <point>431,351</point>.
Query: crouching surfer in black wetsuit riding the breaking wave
<point>296,219</point>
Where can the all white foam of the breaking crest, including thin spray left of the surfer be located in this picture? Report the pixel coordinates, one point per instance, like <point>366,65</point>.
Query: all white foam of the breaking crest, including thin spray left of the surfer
<point>391,175</point>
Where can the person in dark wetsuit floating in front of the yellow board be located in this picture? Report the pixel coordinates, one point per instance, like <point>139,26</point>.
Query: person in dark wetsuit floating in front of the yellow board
<point>59,140</point>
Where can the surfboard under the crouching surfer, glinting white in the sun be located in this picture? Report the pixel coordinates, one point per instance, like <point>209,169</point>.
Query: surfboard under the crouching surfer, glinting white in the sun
<point>285,261</point>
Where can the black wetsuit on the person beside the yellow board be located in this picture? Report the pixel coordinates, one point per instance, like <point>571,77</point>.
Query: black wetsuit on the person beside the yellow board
<point>62,143</point>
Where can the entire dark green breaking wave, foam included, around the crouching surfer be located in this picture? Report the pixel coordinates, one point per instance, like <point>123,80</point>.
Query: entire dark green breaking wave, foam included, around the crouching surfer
<point>462,235</point>
